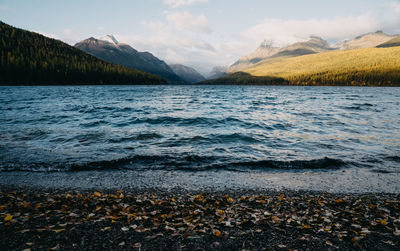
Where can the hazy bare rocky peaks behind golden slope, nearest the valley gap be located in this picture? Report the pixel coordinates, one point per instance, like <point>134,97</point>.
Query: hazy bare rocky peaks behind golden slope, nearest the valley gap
<point>266,50</point>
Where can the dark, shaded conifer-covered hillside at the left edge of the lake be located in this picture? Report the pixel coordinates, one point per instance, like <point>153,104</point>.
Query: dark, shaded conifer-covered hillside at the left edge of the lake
<point>29,58</point>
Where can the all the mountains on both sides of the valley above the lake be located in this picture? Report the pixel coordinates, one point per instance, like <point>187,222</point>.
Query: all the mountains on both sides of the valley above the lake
<point>30,58</point>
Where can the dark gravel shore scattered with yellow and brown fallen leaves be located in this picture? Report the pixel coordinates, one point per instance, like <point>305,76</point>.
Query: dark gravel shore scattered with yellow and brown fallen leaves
<point>35,219</point>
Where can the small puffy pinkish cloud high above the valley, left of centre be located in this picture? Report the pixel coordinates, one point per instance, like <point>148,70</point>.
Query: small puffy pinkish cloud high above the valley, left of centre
<point>186,21</point>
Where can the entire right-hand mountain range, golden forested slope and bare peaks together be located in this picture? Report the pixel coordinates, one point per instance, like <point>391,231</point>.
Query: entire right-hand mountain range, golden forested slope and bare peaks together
<point>368,60</point>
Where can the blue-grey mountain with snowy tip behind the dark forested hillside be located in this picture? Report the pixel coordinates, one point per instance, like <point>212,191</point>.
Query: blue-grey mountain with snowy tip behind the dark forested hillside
<point>109,49</point>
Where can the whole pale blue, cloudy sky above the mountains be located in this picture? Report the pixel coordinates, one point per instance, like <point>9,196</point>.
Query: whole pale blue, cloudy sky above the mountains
<point>202,33</point>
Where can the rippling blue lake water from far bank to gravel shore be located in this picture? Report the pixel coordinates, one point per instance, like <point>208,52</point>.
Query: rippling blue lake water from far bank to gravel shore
<point>267,135</point>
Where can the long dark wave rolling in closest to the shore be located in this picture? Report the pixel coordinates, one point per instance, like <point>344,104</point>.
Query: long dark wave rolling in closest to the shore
<point>183,163</point>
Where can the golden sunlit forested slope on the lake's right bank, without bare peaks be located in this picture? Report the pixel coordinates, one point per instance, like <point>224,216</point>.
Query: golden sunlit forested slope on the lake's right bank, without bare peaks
<point>371,66</point>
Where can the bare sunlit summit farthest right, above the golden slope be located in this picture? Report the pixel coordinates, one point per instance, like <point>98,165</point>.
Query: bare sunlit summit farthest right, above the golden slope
<point>368,40</point>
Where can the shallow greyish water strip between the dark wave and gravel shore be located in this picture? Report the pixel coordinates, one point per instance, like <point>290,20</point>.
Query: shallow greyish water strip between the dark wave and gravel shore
<point>354,180</point>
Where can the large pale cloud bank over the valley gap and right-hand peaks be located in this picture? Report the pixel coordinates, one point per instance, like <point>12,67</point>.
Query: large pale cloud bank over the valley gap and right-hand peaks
<point>182,37</point>
